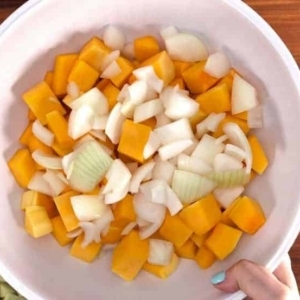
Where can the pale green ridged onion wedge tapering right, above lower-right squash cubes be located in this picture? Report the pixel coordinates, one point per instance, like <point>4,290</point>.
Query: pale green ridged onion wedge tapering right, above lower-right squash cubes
<point>190,187</point>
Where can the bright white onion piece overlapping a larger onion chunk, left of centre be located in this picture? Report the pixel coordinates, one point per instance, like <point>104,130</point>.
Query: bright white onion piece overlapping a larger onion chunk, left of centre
<point>80,121</point>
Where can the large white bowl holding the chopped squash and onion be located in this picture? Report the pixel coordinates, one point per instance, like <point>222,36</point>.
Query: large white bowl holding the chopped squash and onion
<point>29,41</point>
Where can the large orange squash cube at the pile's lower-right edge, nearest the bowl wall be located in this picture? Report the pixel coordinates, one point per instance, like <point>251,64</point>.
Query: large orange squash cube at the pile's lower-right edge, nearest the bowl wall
<point>247,215</point>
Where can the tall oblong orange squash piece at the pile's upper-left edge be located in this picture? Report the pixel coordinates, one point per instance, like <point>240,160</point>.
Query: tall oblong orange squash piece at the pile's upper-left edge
<point>63,65</point>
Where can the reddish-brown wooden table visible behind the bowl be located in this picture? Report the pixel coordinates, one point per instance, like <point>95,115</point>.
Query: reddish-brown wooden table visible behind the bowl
<point>284,17</point>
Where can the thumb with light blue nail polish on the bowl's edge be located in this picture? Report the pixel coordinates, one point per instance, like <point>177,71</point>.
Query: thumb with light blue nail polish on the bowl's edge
<point>254,280</point>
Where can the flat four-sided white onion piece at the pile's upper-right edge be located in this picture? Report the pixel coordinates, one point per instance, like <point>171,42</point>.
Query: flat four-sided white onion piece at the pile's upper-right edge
<point>244,95</point>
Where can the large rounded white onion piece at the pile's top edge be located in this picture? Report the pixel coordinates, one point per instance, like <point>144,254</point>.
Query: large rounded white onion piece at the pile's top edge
<point>186,47</point>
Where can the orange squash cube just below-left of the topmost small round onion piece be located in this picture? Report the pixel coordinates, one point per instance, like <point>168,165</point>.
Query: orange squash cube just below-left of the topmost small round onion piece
<point>94,53</point>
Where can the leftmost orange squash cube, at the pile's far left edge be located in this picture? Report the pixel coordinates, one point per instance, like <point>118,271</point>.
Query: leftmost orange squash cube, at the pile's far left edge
<point>22,167</point>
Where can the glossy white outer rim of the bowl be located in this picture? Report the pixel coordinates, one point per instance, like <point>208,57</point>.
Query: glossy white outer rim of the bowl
<point>292,67</point>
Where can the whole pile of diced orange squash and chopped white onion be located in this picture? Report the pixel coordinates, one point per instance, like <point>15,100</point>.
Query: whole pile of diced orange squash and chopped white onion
<point>143,147</point>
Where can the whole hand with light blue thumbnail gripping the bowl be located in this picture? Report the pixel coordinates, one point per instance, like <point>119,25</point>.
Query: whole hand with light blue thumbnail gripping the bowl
<point>257,282</point>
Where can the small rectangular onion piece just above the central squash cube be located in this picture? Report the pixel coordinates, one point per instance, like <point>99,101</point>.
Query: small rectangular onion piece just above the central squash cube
<point>147,110</point>
